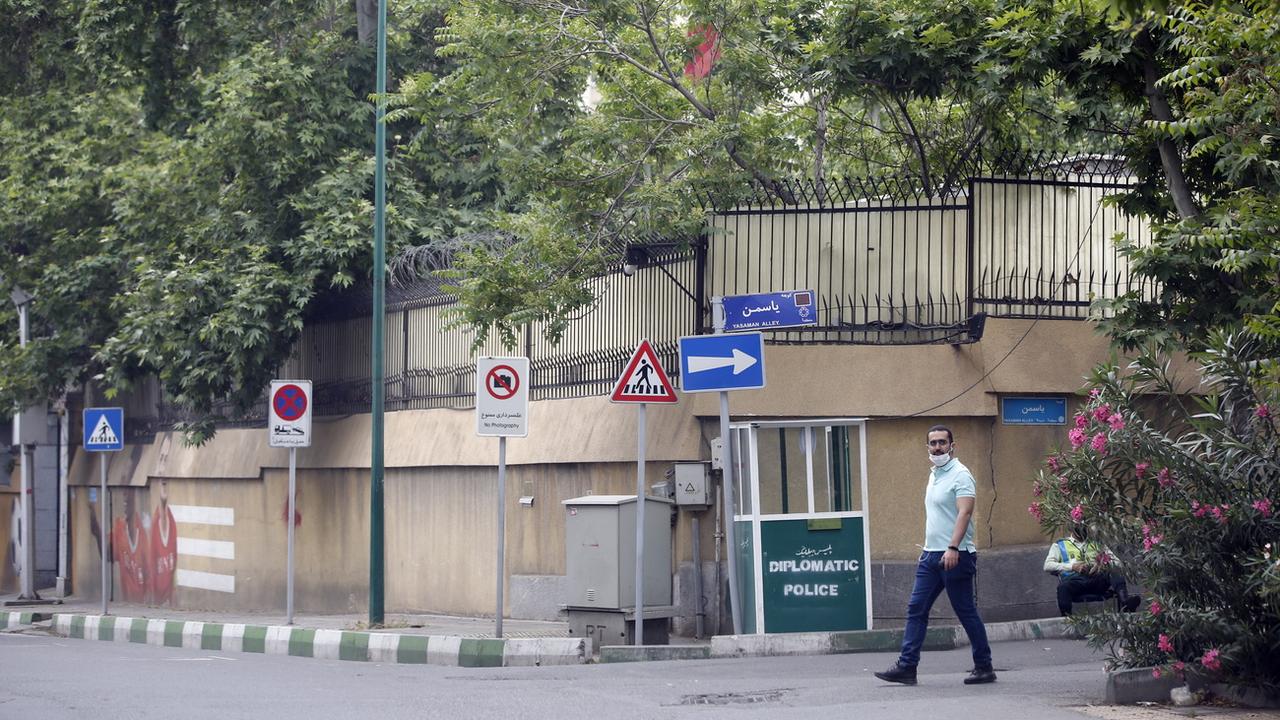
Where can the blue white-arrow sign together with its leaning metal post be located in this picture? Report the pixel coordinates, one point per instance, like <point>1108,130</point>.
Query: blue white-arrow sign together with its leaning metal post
<point>724,363</point>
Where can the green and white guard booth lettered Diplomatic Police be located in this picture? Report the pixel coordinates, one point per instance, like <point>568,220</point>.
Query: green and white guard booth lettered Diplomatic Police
<point>801,522</point>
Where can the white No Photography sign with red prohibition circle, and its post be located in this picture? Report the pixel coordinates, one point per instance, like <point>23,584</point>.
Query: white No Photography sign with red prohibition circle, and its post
<point>502,412</point>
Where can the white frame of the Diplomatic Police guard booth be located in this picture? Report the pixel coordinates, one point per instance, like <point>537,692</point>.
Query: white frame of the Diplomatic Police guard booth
<point>813,438</point>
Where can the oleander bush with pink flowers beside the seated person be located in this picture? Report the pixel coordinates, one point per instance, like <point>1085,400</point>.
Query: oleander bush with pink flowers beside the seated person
<point>1185,493</point>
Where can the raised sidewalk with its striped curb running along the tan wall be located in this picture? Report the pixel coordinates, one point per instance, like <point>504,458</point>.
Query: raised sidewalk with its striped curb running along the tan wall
<point>444,640</point>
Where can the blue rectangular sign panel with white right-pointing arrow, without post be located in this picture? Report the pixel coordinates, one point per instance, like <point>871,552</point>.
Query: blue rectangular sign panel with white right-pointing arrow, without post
<point>714,363</point>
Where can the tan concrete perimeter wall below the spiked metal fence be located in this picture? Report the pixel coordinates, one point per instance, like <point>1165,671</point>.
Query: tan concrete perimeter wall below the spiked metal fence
<point>441,484</point>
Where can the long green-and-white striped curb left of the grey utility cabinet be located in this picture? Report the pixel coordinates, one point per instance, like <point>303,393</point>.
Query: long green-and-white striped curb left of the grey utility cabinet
<point>333,645</point>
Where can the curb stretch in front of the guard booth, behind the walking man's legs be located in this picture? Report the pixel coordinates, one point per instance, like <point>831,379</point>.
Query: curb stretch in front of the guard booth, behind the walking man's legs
<point>947,637</point>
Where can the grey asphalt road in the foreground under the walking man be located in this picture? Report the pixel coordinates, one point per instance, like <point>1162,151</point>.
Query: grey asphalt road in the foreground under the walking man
<point>51,678</point>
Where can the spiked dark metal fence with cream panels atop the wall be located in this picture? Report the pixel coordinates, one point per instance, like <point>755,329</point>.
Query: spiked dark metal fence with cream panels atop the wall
<point>889,265</point>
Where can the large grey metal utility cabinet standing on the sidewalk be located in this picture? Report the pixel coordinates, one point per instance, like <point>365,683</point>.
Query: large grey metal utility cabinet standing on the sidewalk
<point>601,560</point>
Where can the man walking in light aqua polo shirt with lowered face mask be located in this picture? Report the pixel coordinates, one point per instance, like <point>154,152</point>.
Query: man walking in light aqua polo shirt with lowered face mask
<point>949,562</point>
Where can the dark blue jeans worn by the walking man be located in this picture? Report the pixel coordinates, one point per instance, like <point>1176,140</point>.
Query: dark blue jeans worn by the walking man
<point>931,580</point>
